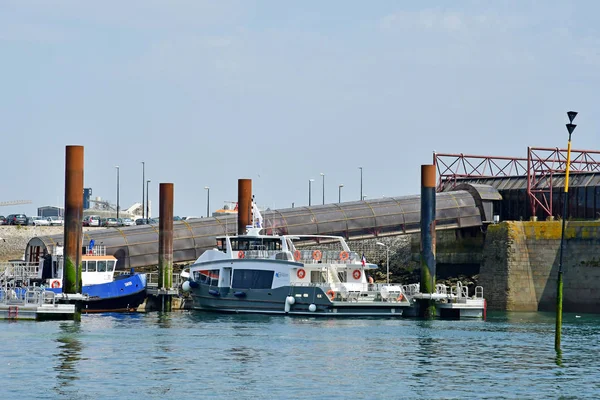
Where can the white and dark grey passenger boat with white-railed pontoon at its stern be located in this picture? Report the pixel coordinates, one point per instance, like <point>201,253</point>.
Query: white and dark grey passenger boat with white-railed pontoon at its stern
<point>297,275</point>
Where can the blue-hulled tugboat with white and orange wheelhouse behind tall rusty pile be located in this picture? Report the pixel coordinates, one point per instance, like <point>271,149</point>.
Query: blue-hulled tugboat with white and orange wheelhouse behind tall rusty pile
<point>107,292</point>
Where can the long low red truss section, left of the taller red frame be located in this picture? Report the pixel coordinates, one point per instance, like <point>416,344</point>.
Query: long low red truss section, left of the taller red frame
<point>451,167</point>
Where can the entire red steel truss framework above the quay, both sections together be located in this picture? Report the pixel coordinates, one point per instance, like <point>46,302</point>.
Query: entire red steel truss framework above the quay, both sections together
<point>541,167</point>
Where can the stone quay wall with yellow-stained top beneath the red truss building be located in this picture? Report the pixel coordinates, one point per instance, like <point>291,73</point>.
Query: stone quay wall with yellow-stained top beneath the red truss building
<point>520,266</point>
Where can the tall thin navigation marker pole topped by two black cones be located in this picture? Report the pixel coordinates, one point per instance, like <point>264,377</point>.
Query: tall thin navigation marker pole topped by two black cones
<point>559,282</point>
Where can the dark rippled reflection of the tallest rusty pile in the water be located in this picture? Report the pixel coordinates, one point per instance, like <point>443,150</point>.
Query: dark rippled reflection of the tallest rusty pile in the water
<point>69,354</point>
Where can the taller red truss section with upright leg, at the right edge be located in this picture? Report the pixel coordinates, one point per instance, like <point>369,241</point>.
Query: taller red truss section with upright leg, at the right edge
<point>543,163</point>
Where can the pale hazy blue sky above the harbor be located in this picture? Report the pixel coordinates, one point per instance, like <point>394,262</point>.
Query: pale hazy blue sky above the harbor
<point>208,92</point>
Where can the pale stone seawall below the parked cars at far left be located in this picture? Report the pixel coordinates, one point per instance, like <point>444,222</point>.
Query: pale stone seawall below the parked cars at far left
<point>16,238</point>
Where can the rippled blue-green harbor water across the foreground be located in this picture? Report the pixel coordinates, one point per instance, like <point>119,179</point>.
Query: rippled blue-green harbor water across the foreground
<point>184,355</point>
